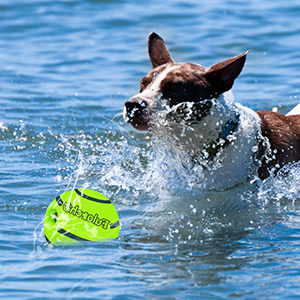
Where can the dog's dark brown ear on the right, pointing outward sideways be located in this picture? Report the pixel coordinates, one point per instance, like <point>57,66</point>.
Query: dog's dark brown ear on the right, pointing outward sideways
<point>221,76</point>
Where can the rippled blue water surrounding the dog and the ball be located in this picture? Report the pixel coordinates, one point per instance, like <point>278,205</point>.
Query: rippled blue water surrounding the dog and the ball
<point>66,69</point>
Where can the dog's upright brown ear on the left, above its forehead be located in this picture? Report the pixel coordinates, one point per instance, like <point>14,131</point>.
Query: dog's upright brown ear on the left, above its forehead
<point>158,51</point>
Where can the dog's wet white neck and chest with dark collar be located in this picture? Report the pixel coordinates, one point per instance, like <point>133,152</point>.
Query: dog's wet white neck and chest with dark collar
<point>222,145</point>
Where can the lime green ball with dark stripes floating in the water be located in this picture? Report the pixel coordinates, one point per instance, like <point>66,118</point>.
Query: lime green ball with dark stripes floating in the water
<point>80,215</point>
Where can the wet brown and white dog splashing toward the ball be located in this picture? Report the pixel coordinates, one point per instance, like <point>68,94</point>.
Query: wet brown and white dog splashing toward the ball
<point>194,105</point>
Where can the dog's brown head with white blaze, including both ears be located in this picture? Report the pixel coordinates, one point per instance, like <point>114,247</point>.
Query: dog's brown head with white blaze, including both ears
<point>178,82</point>
